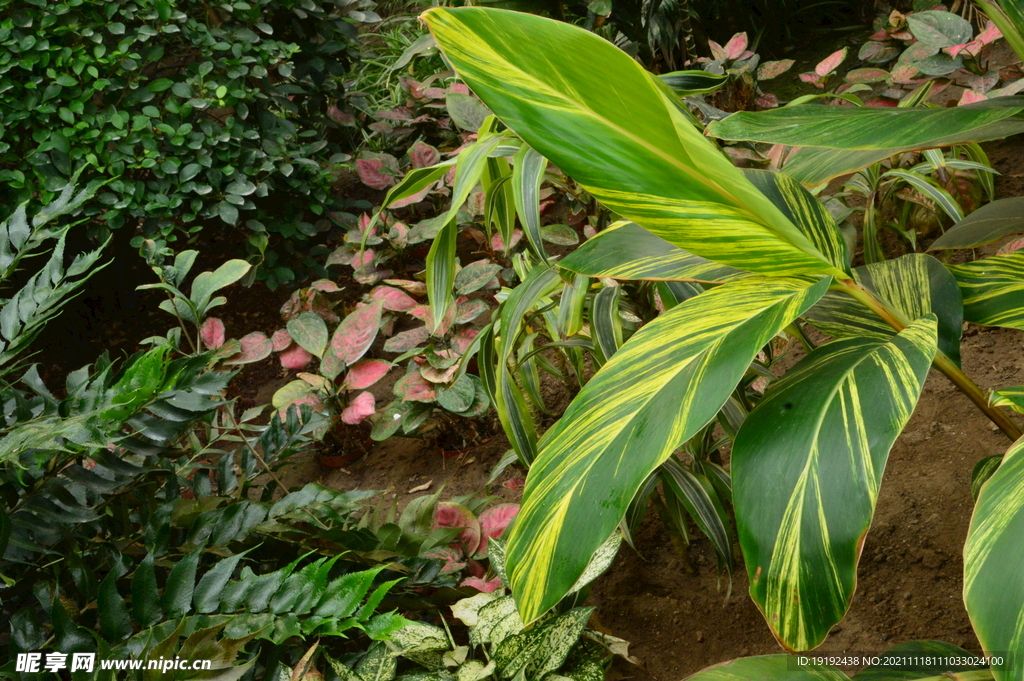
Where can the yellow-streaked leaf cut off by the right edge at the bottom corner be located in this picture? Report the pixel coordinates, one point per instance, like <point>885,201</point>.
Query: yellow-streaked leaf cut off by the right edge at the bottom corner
<point>994,572</point>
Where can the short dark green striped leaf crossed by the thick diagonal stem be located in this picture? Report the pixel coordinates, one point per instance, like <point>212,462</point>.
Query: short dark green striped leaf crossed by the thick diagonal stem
<point>915,285</point>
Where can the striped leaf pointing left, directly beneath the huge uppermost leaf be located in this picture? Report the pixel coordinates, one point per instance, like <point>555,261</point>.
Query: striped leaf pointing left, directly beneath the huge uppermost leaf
<point>627,251</point>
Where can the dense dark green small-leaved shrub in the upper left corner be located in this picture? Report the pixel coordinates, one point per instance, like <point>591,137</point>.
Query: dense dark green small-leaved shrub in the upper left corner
<point>195,112</point>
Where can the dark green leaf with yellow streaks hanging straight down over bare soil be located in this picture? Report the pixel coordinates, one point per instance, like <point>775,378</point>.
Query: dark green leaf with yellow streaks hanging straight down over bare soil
<point>822,436</point>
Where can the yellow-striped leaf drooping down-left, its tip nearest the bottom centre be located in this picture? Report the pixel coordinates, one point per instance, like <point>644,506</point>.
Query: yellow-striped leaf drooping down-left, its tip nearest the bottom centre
<point>680,370</point>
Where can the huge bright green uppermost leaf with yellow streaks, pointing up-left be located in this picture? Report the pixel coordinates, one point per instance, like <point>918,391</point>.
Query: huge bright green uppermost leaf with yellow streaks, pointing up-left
<point>596,114</point>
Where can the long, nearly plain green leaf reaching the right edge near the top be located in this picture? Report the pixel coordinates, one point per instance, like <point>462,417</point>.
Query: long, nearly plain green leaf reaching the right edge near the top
<point>838,141</point>
